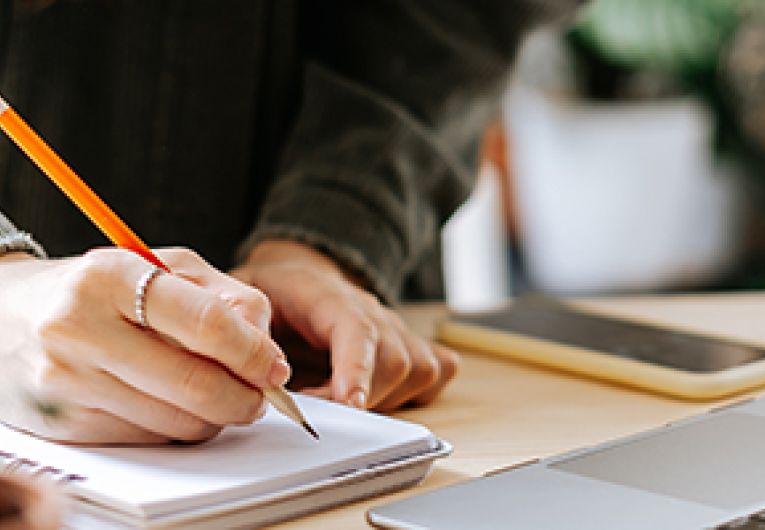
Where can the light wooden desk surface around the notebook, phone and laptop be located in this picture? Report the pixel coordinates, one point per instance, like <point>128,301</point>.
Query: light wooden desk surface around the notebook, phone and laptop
<point>498,413</point>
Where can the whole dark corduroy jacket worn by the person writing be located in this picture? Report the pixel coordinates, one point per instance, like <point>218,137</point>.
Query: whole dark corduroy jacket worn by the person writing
<point>351,125</point>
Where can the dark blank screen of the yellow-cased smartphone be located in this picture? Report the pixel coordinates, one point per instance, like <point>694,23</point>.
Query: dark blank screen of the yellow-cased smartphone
<point>558,322</point>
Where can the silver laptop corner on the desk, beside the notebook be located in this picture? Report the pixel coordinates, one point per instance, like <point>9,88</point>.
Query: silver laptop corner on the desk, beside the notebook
<point>706,472</point>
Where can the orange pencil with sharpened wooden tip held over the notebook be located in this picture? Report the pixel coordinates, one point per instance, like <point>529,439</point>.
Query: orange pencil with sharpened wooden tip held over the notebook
<point>107,221</point>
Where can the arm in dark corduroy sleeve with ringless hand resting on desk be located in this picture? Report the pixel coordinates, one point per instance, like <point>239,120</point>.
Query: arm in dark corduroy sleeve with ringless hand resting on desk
<point>395,95</point>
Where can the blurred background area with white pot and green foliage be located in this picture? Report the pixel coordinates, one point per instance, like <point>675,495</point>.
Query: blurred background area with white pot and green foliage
<point>629,157</point>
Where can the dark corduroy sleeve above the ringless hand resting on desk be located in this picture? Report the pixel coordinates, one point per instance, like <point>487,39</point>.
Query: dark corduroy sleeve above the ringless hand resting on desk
<point>395,96</point>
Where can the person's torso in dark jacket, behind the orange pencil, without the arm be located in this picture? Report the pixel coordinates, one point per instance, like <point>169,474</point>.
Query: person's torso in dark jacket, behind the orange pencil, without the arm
<point>175,112</point>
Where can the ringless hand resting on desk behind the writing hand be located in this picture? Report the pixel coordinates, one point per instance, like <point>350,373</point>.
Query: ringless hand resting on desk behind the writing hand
<point>374,360</point>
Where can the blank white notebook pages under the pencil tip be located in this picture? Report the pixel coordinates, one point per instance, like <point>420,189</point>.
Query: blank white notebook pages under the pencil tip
<point>272,454</point>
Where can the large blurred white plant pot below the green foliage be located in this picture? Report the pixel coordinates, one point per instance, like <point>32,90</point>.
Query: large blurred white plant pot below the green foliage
<point>618,197</point>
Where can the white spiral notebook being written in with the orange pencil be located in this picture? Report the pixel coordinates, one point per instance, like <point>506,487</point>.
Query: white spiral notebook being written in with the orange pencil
<point>247,476</point>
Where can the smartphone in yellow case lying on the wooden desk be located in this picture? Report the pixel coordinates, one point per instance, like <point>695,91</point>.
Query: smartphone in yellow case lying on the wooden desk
<point>557,335</point>
